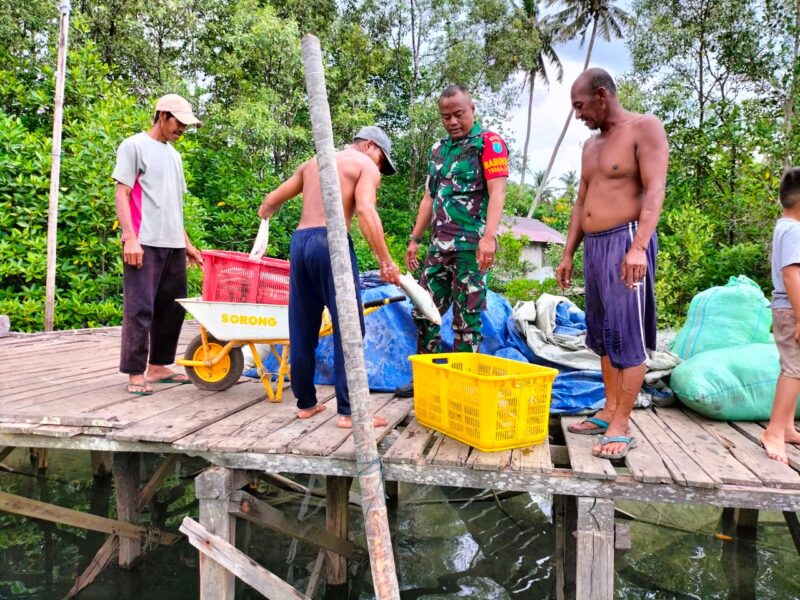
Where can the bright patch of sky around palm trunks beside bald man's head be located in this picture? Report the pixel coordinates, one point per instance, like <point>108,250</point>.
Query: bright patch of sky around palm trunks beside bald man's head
<point>551,105</point>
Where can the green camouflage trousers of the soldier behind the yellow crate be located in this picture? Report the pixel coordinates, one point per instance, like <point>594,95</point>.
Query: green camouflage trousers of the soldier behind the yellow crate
<point>452,278</point>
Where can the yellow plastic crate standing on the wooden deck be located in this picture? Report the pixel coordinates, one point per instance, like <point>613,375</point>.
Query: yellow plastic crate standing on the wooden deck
<point>487,402</point>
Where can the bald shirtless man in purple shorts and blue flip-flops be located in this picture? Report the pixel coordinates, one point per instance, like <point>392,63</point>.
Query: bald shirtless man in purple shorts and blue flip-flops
<point>623,176</point>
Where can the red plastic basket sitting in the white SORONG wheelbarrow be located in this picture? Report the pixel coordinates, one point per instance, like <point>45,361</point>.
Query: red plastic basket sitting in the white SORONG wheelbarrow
<point>235,277</point>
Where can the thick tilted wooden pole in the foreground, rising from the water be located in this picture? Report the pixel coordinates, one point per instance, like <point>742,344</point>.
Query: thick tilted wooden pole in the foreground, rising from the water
<point>379,542</point>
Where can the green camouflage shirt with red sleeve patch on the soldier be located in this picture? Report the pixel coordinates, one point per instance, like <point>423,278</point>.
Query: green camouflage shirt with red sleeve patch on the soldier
<point>457,174</point>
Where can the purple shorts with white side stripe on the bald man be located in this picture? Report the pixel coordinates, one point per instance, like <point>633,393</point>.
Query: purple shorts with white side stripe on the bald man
<point>621,322</point>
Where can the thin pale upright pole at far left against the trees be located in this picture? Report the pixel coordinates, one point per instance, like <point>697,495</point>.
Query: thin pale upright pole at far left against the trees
<point>55,169</point>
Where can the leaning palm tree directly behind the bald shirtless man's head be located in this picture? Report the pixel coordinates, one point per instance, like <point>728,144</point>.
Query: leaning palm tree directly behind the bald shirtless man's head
<point>601,16</point>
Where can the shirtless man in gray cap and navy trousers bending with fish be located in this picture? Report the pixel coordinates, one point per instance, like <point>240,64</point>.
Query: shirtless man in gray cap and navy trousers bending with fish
<point>360,166</point>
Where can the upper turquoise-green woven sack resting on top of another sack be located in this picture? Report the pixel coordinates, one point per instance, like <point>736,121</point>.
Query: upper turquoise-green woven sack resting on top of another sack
<point>725,316</point>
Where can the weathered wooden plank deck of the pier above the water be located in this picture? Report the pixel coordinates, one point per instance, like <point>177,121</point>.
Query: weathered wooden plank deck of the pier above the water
<point>63,390</point>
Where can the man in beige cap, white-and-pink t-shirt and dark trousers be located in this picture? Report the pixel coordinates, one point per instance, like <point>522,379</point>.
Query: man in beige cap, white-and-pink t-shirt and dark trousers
<point>149,201</point>
